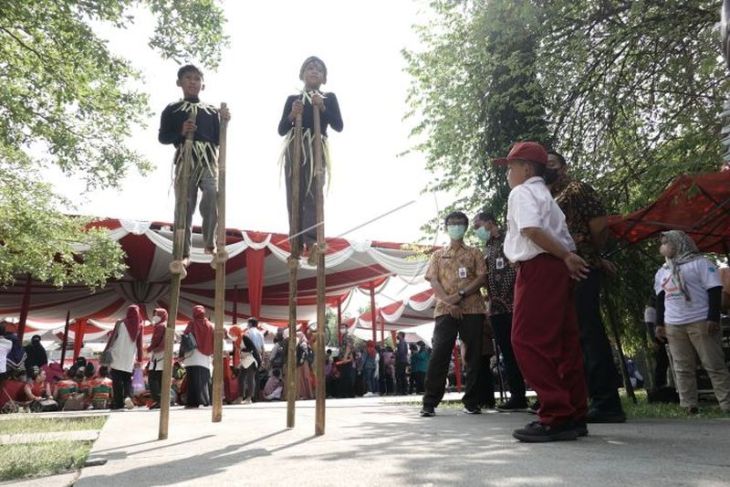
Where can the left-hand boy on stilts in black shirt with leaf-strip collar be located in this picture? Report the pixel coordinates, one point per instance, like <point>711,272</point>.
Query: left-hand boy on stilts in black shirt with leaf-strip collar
<point>174,127</point>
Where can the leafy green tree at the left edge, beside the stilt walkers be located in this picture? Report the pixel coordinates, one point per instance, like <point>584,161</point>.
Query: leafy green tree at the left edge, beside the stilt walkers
<point>66,100</point>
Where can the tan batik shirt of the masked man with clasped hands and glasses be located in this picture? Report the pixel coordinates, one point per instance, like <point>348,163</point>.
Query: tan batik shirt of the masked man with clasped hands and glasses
<point>455,268</point>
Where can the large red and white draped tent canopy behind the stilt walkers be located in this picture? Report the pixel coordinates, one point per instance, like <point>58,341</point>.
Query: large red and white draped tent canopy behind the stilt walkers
<point>256,281</point>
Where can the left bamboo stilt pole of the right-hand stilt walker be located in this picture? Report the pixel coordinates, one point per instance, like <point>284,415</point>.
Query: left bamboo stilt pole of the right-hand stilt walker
<point>293,263</point>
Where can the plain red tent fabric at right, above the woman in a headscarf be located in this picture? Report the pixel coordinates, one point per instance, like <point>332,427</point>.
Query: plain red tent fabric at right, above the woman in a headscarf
<point>696,204</point>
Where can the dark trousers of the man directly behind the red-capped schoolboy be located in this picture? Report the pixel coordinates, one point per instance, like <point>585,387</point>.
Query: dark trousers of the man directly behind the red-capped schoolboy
<point>600,369</point>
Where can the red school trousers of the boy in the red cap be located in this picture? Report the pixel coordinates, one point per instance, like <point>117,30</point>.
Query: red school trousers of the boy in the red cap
<point>545,339</point>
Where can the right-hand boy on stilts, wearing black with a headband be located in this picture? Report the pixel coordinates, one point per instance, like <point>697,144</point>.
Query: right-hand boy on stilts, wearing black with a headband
<point>314,74</point>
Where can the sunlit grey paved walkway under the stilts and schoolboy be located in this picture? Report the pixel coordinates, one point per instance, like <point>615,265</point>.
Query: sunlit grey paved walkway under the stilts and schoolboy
<point>374,442</point>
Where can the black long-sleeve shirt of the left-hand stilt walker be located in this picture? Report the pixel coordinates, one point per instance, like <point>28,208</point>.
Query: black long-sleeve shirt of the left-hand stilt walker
<point>175,114</point>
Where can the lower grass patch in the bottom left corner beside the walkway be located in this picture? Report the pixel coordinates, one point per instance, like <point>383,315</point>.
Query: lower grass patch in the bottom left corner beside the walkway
<point>38,459</point>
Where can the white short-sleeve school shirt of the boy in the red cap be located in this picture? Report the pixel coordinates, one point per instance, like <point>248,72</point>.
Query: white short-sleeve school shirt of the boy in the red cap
<point>531,205</point>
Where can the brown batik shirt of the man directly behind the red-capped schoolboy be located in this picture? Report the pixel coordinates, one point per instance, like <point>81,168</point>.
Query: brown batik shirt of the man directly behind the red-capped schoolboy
<point>580,204</point>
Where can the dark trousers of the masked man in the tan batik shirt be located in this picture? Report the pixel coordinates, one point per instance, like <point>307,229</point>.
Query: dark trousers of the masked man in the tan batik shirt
<point>470,330</point>
